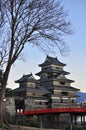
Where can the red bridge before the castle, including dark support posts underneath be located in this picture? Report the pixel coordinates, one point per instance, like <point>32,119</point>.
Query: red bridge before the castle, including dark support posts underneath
<point>73,112</point>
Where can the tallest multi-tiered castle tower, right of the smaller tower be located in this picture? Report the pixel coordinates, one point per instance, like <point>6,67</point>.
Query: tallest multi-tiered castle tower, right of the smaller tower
<point>53,78</point>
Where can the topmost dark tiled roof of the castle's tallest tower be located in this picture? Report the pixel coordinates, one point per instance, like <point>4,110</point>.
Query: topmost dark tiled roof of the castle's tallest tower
<point>51,60</point>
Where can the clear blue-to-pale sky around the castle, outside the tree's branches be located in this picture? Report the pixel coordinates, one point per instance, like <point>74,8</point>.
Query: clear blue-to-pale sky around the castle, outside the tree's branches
<point>75,62</point>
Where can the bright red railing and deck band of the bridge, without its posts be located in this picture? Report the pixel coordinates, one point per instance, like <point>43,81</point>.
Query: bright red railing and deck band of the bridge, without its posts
<point>54,110</point>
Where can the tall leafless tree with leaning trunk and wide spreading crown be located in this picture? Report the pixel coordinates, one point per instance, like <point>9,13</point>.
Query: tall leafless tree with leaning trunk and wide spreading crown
<point>39,22</point>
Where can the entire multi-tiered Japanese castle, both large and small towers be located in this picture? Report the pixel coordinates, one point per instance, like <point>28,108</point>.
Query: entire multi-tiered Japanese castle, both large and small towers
<point>52,90</point>
